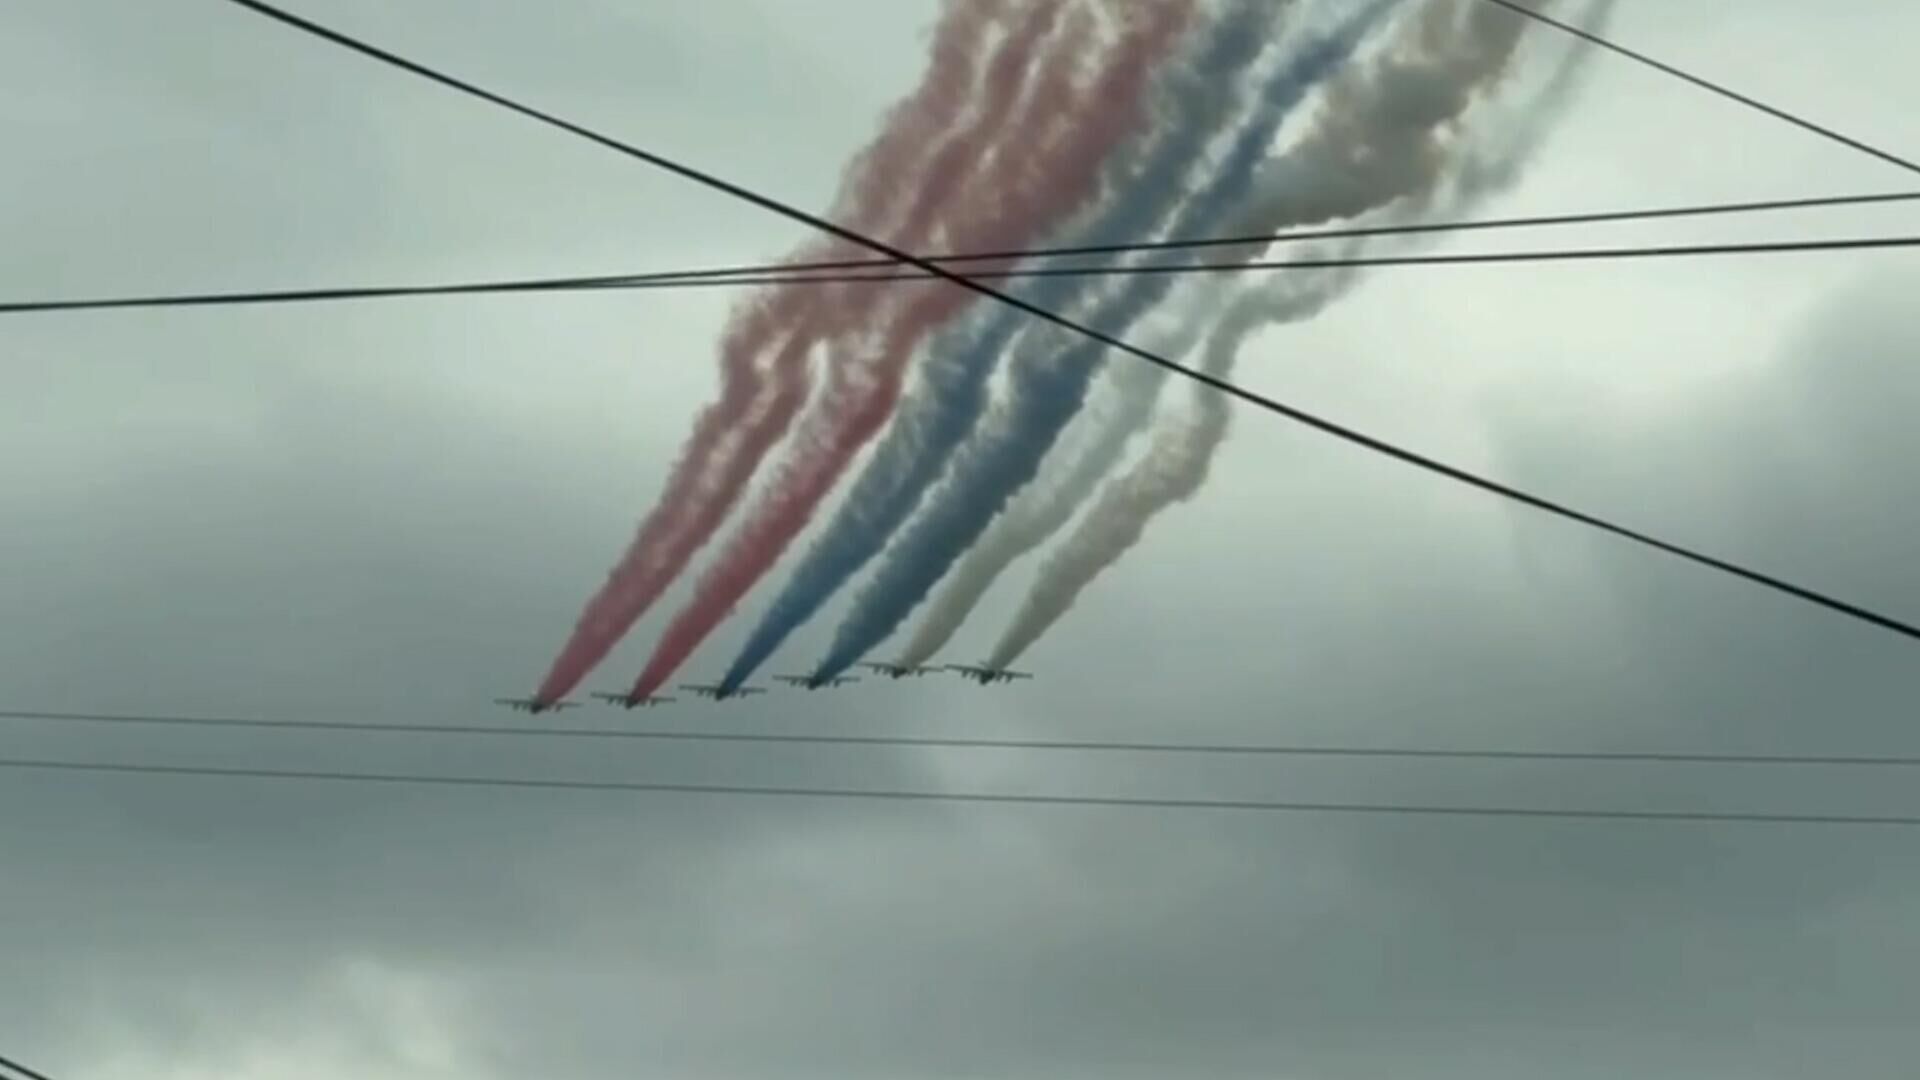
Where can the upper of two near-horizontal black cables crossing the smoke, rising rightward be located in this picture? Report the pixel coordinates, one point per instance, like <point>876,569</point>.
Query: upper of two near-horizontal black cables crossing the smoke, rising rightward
<point>802,274</point>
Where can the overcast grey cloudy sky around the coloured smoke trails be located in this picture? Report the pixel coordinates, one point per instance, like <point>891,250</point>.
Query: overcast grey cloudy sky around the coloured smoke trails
<point>393,512</point>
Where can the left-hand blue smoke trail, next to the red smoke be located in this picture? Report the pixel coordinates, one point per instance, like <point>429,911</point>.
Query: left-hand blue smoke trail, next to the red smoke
<point>940,416</point>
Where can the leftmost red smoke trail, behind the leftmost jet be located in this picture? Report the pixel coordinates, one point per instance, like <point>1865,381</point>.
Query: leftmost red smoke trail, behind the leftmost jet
<point>721,454</point>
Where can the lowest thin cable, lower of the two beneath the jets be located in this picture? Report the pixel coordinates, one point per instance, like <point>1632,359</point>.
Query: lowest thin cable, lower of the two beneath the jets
<point>880,795</point>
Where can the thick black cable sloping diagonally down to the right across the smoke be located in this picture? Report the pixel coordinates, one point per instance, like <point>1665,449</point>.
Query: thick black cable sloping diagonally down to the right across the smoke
<point>1111,341</point>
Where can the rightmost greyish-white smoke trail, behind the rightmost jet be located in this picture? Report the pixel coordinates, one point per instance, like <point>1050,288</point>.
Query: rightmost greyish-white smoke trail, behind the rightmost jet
<point>1182,456</point>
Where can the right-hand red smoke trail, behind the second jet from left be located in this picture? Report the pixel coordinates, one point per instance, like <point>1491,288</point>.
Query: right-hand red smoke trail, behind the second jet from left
<point>1044,168</point>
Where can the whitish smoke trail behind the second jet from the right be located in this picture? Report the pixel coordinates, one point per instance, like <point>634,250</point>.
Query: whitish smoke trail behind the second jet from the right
<point>1372,143</point>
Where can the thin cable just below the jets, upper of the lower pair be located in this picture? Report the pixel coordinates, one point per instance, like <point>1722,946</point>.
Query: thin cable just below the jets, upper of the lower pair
<point>946,743</point>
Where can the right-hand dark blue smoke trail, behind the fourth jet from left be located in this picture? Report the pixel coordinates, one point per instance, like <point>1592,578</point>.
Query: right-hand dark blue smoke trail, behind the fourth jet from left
<point>1049,389</point>
